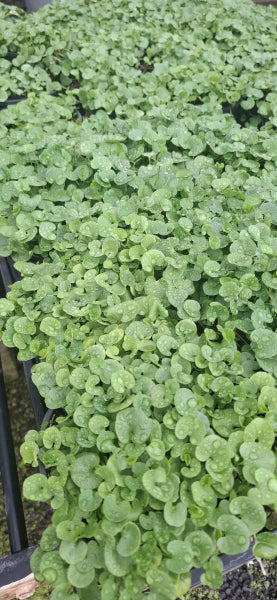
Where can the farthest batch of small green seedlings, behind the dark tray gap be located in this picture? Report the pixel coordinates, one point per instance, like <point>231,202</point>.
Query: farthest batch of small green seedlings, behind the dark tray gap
<point>154,52</point>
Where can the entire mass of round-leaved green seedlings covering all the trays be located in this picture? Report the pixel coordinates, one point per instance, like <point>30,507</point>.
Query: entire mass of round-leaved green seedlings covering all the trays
<point>146,239</point>
